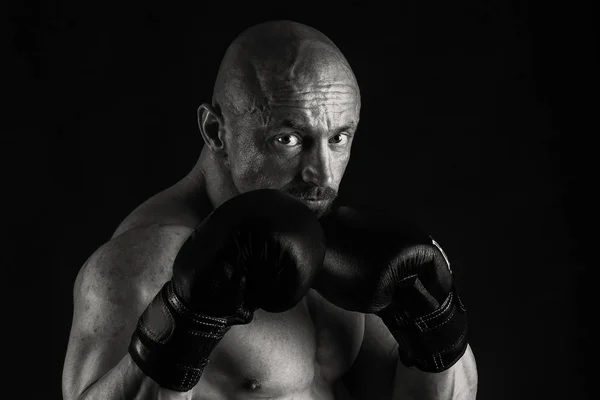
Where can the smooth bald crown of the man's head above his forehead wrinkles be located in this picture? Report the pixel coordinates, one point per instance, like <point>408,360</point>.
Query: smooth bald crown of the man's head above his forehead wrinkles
<point>270,60</point>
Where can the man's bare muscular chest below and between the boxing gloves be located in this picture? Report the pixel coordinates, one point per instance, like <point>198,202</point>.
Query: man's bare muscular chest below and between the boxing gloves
<point>295,353</point>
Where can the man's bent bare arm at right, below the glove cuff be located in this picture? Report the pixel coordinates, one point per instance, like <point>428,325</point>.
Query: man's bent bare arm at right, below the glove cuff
<point>378,373</point>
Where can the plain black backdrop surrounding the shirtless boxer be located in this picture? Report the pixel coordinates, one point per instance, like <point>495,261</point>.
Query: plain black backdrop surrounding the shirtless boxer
<point>478,122</point>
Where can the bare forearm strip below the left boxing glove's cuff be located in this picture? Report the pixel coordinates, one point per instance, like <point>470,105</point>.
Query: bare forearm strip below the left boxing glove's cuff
<point>126,381</point>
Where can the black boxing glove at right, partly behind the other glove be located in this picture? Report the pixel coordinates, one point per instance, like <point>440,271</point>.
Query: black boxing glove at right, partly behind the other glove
<point>376,264</point>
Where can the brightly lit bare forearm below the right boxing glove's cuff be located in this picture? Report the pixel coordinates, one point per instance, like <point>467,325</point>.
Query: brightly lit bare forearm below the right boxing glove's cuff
<point>456,383</point>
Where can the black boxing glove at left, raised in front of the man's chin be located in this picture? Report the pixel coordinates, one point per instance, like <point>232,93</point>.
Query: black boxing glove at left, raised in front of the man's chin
<point>261,249</point>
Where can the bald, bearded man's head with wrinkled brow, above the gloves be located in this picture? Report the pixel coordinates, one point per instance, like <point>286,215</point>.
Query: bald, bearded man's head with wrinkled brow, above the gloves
<point>285,109</point>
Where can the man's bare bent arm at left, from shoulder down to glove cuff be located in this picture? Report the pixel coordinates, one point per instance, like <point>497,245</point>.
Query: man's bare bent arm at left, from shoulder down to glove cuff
<point>110,293</point>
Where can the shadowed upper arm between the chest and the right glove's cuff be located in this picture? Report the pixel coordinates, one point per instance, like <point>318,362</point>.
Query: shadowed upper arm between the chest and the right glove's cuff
<point>372,373</point>
